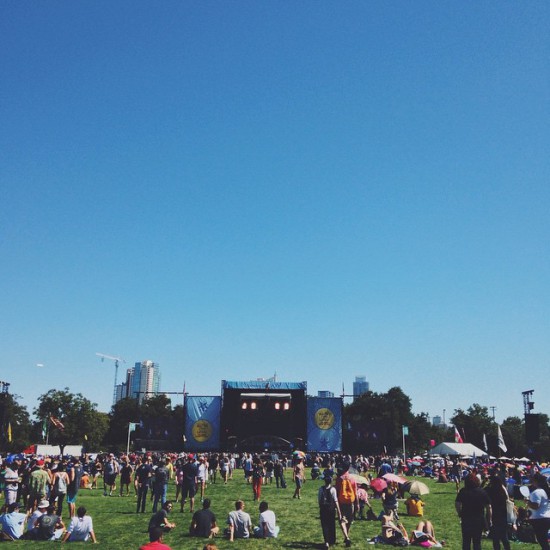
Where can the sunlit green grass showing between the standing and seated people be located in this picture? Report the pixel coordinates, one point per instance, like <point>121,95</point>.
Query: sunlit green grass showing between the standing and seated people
<point>117,526</point>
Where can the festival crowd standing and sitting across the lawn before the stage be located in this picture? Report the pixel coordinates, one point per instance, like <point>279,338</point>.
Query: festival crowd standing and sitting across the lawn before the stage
<point>38,492</point>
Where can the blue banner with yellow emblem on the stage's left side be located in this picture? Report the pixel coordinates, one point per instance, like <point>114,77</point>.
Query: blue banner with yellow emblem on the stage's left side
<point>202,423</point>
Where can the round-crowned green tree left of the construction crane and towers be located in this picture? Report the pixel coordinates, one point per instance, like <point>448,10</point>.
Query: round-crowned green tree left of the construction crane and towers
<point>72,419</point>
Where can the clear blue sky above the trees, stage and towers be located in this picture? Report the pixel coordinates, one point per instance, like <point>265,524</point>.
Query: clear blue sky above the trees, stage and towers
<point>321,189</point>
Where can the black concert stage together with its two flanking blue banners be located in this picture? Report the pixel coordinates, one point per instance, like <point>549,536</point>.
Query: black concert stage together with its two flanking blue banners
<point>261,415</point>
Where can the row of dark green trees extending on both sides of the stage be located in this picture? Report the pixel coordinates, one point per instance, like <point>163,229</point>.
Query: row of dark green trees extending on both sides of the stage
<point>373,424</point>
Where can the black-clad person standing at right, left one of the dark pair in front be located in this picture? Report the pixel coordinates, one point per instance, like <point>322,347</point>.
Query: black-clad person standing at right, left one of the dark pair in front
<point>474,509</point>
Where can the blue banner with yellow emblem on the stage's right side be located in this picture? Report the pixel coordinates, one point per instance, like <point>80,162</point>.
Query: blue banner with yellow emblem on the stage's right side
<point>324,424</point>
